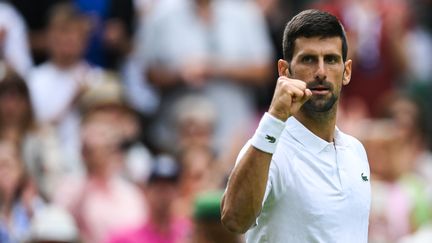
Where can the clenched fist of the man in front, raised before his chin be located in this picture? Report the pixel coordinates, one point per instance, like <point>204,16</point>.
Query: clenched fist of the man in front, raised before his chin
<point>289,96</point>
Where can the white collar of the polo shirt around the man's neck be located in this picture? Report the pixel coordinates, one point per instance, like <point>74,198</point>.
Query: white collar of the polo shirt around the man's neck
<point>308,139</point>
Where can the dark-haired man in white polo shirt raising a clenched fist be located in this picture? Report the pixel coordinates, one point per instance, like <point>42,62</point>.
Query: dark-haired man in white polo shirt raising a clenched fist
<point>300,179</point>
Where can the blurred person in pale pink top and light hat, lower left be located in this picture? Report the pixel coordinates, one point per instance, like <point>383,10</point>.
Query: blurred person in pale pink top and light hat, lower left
<point>103,202</point>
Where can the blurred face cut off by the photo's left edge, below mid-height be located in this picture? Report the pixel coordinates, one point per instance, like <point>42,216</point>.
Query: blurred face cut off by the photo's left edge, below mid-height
<point>11,170</point>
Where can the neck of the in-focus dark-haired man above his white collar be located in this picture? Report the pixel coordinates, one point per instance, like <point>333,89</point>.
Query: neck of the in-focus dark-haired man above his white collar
<point>321,124</point>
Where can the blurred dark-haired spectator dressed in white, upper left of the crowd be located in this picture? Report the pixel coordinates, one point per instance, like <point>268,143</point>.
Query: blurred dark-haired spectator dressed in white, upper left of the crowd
<point>58,84</point>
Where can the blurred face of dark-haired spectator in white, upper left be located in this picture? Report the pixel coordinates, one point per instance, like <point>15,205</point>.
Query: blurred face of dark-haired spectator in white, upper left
<point>67,40</point>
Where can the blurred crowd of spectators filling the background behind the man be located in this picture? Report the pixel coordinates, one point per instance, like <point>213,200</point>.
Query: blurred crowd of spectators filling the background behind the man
<point>120,120</point>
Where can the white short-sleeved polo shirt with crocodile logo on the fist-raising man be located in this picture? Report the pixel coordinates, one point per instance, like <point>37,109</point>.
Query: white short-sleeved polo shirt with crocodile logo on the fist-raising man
<point>316,192</point>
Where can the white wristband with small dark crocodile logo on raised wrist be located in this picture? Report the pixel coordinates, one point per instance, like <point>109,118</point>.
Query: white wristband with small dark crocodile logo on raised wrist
<point>267,134</point>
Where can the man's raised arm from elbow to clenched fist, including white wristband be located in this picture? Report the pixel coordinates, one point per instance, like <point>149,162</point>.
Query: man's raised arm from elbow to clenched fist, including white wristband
<point>243,198</point>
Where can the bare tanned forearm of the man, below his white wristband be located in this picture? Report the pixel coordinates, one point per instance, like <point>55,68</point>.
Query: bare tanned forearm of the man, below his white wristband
<point>243,198</point>
